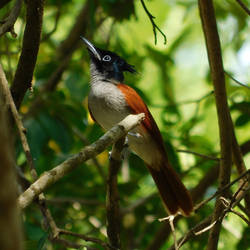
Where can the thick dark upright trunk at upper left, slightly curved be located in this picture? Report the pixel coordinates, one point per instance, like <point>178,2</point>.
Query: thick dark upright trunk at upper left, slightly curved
<point>31,41</point>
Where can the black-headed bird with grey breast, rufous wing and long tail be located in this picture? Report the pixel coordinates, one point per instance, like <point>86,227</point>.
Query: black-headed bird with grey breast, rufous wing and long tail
<point>110,100</point>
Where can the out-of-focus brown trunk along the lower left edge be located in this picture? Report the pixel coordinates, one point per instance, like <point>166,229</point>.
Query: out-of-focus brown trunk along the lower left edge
<point>10,226</point>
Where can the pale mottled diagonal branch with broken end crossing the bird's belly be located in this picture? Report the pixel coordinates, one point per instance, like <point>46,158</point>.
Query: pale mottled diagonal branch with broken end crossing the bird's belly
<point>52,176</point>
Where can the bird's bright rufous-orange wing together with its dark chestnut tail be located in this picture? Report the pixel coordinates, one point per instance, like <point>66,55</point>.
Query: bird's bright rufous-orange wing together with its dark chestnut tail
<point>173,193</point>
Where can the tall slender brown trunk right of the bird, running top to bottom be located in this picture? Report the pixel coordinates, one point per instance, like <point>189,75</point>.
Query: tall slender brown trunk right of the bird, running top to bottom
<point>217,73</point>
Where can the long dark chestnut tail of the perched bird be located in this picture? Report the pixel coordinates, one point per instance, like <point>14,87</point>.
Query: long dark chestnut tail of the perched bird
<point>173,193</point>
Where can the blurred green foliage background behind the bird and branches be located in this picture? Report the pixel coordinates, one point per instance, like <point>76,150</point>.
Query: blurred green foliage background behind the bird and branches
<point>174,81</point>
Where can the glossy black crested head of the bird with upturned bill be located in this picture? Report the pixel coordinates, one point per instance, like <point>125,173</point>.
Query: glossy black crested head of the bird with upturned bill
<point>107,63</point>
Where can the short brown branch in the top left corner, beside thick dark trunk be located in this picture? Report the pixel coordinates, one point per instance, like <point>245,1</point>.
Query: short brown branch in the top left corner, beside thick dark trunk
<point>8,23</point>
